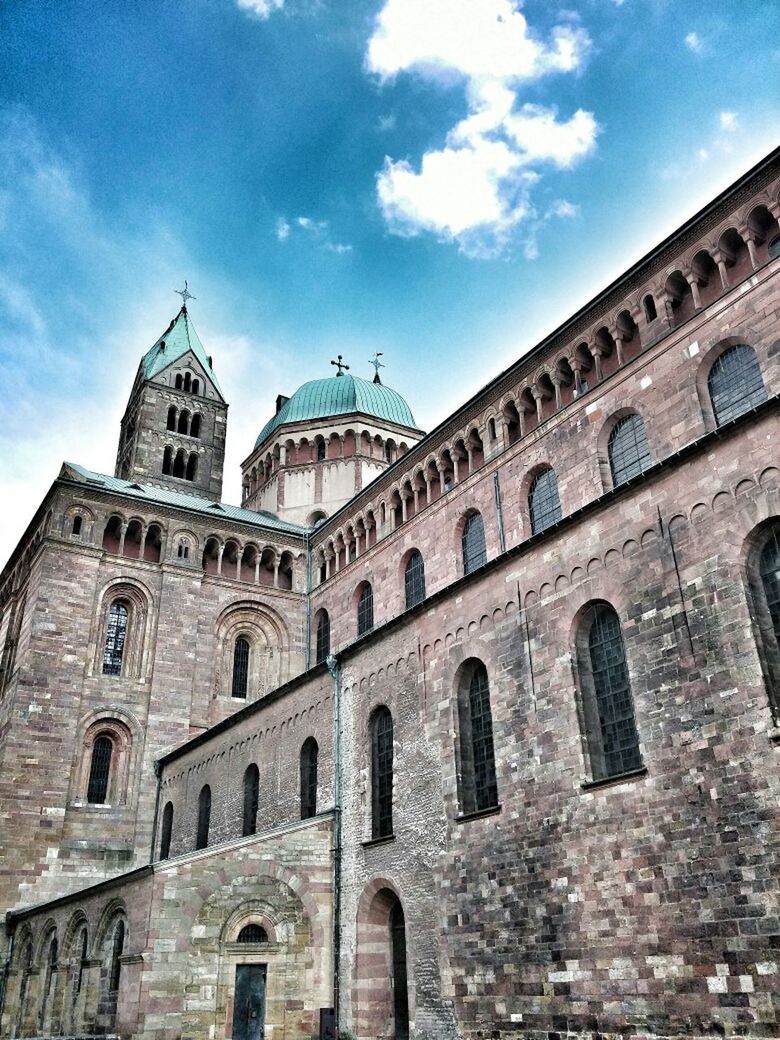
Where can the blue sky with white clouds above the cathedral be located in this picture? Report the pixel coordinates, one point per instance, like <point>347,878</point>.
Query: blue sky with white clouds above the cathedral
<point>441,180</point>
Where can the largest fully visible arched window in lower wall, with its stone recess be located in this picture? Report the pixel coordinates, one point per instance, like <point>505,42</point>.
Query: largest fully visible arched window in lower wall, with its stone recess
<point>610,721</point>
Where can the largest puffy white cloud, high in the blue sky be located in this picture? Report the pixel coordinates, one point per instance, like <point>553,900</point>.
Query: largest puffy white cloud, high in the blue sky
<point>476,190</point>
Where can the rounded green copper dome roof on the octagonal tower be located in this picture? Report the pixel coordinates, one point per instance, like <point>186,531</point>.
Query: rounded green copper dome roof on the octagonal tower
<point>341,396</point>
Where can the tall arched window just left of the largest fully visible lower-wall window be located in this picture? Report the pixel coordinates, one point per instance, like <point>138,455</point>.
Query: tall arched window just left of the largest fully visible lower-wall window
<point>478,768</point>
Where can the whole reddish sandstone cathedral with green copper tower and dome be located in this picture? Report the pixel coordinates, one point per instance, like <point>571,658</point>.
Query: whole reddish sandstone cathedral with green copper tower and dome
<point>456,736</point>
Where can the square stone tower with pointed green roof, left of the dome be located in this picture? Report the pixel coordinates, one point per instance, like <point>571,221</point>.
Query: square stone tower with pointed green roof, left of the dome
<point>174,427</point>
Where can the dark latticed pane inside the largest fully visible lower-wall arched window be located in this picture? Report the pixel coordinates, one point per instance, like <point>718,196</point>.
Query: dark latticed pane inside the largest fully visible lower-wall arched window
<point>614,704</point>
